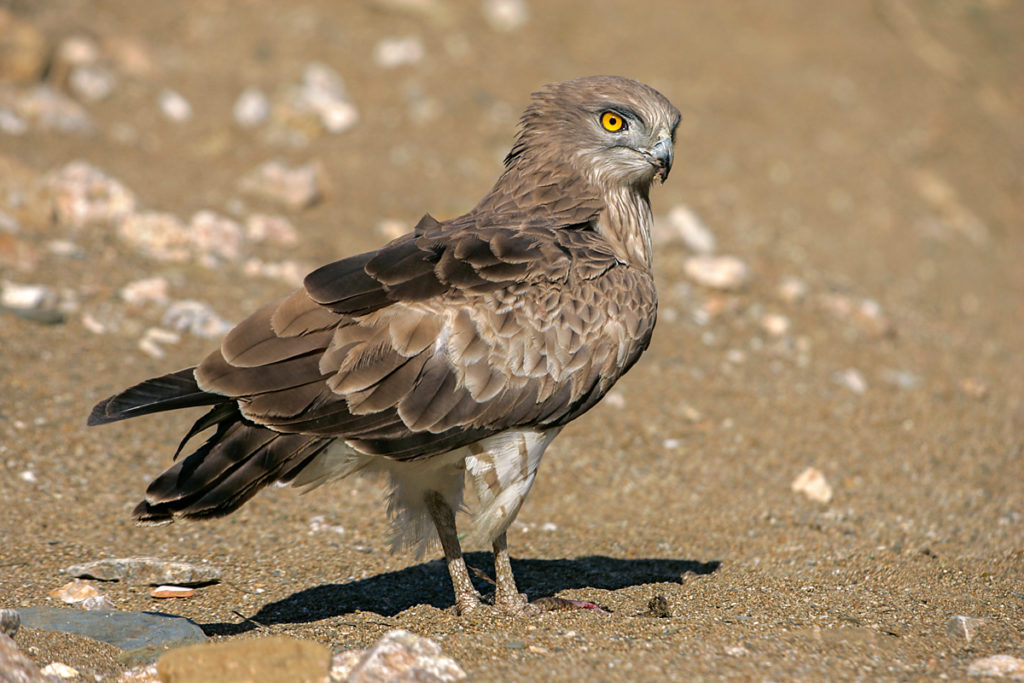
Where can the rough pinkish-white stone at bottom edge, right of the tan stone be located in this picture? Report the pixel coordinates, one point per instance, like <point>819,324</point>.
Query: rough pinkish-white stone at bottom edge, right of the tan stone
<point>404,656</point>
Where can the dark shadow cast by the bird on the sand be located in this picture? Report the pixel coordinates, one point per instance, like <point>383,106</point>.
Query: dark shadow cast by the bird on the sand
<point>391,593</point>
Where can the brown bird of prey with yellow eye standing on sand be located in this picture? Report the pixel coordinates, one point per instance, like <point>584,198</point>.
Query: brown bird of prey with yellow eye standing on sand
<point>455,353</point>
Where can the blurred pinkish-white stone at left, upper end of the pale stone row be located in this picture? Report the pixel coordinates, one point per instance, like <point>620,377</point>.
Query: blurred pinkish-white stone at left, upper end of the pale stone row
<point>82,195</point>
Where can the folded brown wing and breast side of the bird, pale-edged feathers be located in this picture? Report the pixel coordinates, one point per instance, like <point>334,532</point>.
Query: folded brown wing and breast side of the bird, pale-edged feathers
<point>441,338</point>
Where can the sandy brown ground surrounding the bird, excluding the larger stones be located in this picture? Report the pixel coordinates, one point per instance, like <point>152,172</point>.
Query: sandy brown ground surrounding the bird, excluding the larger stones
<point>872,151</point>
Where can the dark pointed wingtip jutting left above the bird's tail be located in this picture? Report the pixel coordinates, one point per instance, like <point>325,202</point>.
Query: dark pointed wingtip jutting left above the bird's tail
<point>160,394</point>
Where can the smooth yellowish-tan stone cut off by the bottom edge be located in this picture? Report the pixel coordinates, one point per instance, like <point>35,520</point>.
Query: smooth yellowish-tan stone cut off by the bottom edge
<point>271,659</point>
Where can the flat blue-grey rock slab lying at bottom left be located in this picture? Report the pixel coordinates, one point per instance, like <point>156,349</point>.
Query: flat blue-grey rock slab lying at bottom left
<point>143,635</point>
